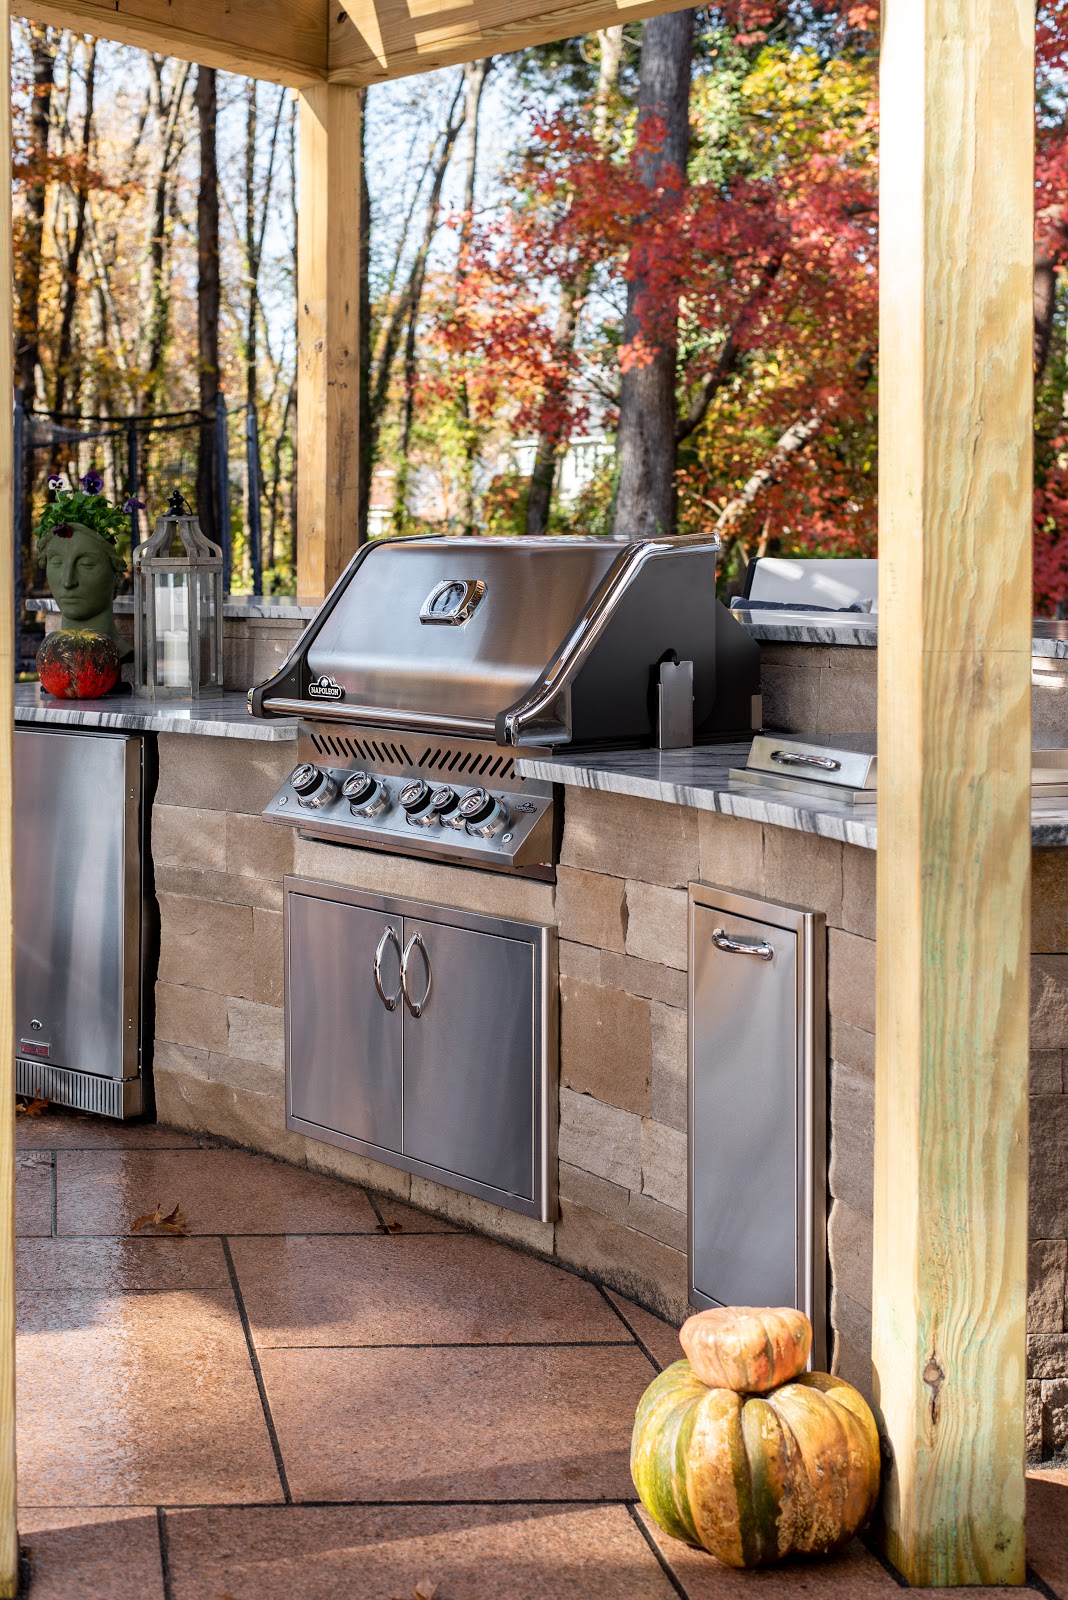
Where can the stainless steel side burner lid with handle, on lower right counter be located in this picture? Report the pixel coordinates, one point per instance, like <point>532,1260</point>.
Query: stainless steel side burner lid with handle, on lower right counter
<point>845,766</point>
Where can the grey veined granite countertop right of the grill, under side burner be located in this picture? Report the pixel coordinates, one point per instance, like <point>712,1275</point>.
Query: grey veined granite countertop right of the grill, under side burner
<point>699,778</point>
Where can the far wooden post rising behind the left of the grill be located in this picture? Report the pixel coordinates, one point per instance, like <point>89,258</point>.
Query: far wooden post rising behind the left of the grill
<point>329,337</point>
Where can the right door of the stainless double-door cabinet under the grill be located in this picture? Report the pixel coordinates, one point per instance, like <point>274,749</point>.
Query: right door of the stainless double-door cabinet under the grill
<point>469,1055</point>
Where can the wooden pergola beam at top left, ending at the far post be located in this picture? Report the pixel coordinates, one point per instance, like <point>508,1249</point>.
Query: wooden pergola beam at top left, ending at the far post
<point>284,44</point>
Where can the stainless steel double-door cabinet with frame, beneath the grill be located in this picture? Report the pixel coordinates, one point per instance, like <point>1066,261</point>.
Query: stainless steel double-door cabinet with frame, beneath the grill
<point>423,1036</point>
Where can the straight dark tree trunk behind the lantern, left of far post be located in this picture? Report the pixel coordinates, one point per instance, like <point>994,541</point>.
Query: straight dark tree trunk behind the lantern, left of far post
<point>209,294</point>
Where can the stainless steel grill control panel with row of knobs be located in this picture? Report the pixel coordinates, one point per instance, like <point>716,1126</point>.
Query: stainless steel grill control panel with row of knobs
<point>504,830</point>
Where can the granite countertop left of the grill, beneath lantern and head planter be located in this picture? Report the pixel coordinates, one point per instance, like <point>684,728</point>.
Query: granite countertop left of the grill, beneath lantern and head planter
<point>221,718</point>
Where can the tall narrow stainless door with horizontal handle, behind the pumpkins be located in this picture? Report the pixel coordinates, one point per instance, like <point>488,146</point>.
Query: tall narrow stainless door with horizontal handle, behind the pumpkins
<point>757,1105</point>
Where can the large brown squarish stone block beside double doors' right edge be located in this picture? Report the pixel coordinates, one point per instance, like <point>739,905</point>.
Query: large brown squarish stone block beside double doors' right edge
<point>607,1046</point>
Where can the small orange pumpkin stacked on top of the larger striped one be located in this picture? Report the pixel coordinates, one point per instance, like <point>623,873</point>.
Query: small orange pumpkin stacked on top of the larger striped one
<point>746,1348</point>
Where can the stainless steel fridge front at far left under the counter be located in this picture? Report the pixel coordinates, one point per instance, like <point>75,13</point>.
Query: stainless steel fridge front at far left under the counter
<point>78,895</point>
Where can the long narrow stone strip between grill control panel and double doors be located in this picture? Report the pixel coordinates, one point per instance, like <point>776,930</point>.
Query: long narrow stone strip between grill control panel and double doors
<point>424,881</point>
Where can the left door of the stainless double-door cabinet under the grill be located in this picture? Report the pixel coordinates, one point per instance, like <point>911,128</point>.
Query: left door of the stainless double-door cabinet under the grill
<point>345,1041</point>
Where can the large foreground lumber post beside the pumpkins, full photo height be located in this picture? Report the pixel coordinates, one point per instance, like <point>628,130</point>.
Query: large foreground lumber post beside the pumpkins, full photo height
<point>954,862</point>
